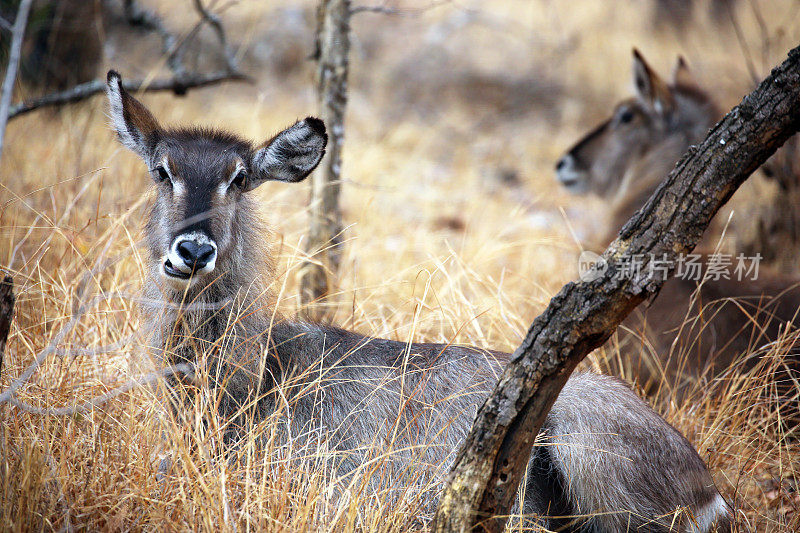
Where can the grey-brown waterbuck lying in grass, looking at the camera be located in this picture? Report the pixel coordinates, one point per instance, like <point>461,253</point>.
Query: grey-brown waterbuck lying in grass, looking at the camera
<point>606,455</point>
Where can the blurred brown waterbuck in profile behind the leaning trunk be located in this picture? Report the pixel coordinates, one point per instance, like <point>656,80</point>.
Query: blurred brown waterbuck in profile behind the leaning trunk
<point>688,334</point>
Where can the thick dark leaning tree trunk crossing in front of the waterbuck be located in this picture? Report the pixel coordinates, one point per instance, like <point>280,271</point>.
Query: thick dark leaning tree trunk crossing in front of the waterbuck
<point>582,316</point>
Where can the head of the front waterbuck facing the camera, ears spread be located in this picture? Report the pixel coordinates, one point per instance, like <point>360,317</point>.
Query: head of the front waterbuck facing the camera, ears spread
<point>202,180</point>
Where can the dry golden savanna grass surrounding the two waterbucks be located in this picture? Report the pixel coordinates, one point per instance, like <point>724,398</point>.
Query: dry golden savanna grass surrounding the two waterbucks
<point>456,231</point>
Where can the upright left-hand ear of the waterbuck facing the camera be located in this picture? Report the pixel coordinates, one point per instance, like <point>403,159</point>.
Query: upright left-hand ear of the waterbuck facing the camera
<point>138,130</point>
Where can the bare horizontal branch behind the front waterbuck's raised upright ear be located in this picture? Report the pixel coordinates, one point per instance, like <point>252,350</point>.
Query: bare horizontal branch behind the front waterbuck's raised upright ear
<point>178,85</point>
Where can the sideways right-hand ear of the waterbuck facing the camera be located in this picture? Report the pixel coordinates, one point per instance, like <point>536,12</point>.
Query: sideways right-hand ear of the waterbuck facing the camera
<point>292,154</point>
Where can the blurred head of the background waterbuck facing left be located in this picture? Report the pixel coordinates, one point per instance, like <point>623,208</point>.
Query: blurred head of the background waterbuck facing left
<point>655,127</point>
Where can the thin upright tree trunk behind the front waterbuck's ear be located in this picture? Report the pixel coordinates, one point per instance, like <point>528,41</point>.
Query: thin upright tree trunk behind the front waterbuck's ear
<point>325,225</point>
